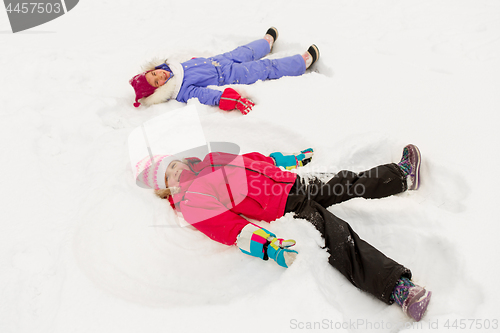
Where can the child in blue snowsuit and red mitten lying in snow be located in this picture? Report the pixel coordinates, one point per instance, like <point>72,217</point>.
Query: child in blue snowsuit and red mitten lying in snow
<point>164,80</point>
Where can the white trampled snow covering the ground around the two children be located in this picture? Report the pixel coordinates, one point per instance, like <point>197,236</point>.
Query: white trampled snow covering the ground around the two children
<point>83,249</point>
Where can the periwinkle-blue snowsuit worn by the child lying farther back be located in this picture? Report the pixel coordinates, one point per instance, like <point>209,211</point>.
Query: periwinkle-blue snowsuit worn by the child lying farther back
<point>240,66</point>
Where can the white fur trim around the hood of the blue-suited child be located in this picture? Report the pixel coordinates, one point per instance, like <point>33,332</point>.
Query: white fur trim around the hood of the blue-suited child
<point>170,89</point>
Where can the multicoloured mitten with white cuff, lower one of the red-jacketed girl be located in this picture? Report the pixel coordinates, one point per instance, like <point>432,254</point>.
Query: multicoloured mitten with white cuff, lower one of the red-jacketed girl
<point>259,242</point>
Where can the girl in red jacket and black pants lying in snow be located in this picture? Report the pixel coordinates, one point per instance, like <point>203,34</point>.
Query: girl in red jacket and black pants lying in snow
<point>215,193</point>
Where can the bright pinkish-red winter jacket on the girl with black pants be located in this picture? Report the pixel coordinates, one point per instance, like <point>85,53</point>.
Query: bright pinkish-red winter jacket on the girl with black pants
<point>213,197</point>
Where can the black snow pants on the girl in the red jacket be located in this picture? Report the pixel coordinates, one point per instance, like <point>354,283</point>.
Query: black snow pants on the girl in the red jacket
<point>366,267</point>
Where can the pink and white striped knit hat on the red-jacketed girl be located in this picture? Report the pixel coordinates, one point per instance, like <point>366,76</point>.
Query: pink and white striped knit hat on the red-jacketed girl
<point>151,174</point>
